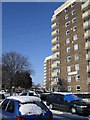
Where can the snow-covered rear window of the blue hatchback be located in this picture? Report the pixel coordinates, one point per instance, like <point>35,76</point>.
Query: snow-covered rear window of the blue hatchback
<point>32,108</point>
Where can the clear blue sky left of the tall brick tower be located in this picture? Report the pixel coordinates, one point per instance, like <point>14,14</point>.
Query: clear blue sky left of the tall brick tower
<point>26,29</point>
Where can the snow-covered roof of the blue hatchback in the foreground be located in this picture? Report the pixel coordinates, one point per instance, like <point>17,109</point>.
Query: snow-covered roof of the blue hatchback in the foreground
<point>24,99</point>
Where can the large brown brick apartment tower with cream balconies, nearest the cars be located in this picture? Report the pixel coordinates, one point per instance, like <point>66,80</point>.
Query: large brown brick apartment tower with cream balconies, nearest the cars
<point>71,46</point>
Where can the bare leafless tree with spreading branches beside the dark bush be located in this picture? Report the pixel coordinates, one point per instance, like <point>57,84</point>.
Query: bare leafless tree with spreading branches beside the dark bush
<point>11,63</point>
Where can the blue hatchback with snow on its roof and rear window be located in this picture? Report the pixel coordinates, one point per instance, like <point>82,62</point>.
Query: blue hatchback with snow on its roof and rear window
<point>24,108</point>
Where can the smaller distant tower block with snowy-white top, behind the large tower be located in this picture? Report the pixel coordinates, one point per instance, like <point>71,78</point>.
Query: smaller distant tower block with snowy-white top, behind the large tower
<point>48,81</point>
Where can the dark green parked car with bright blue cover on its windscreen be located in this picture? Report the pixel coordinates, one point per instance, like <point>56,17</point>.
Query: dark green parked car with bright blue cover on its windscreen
<point>68,102</point>
